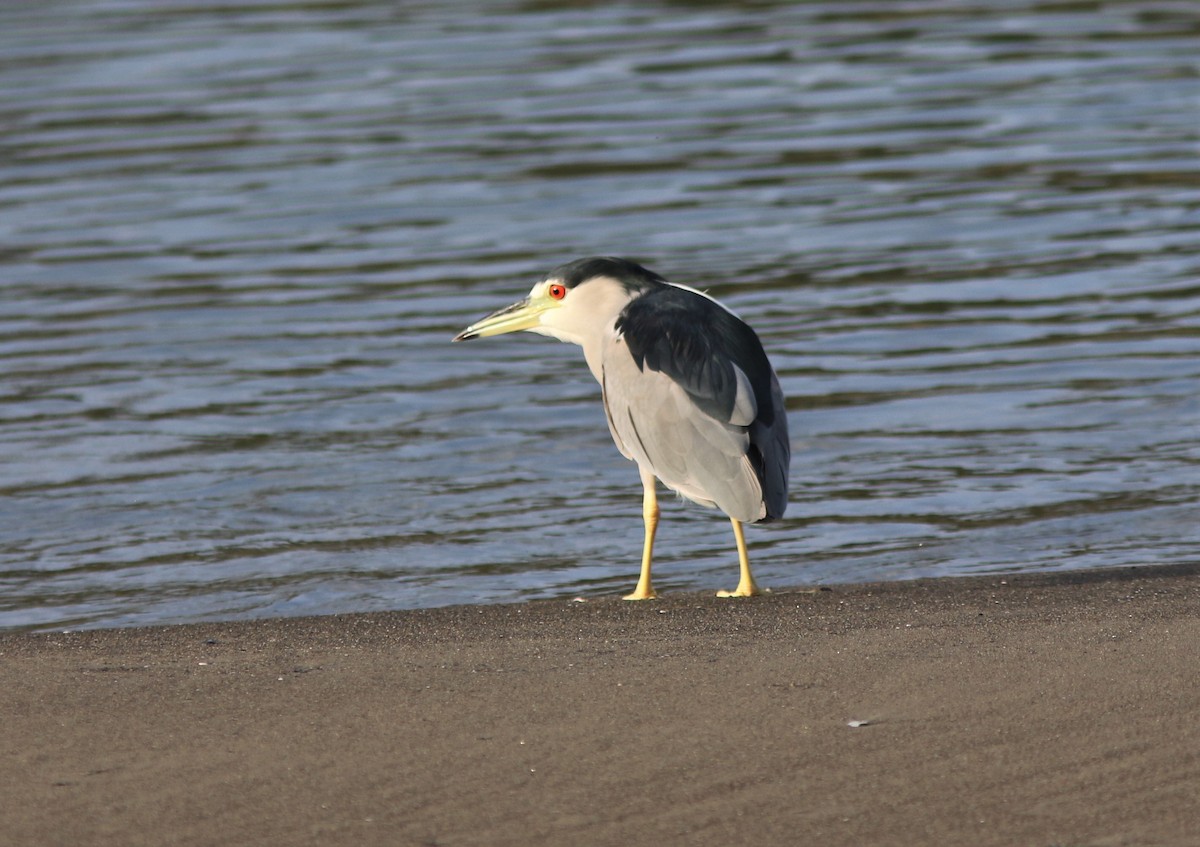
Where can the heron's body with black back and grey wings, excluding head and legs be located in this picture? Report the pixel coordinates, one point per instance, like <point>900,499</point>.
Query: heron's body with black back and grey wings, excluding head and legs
<point>682,404</point>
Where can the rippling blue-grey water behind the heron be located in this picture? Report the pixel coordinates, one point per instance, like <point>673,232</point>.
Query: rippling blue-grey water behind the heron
<point>237,238</point>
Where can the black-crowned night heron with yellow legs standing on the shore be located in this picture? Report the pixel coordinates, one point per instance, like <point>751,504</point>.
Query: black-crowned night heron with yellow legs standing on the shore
<point>688,392</point>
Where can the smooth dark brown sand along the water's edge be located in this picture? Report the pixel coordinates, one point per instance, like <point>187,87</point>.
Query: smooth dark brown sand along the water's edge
<point>1035,711</point>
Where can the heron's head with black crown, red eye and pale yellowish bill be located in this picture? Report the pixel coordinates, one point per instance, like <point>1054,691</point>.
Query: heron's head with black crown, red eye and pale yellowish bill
<point>574,303</point>
